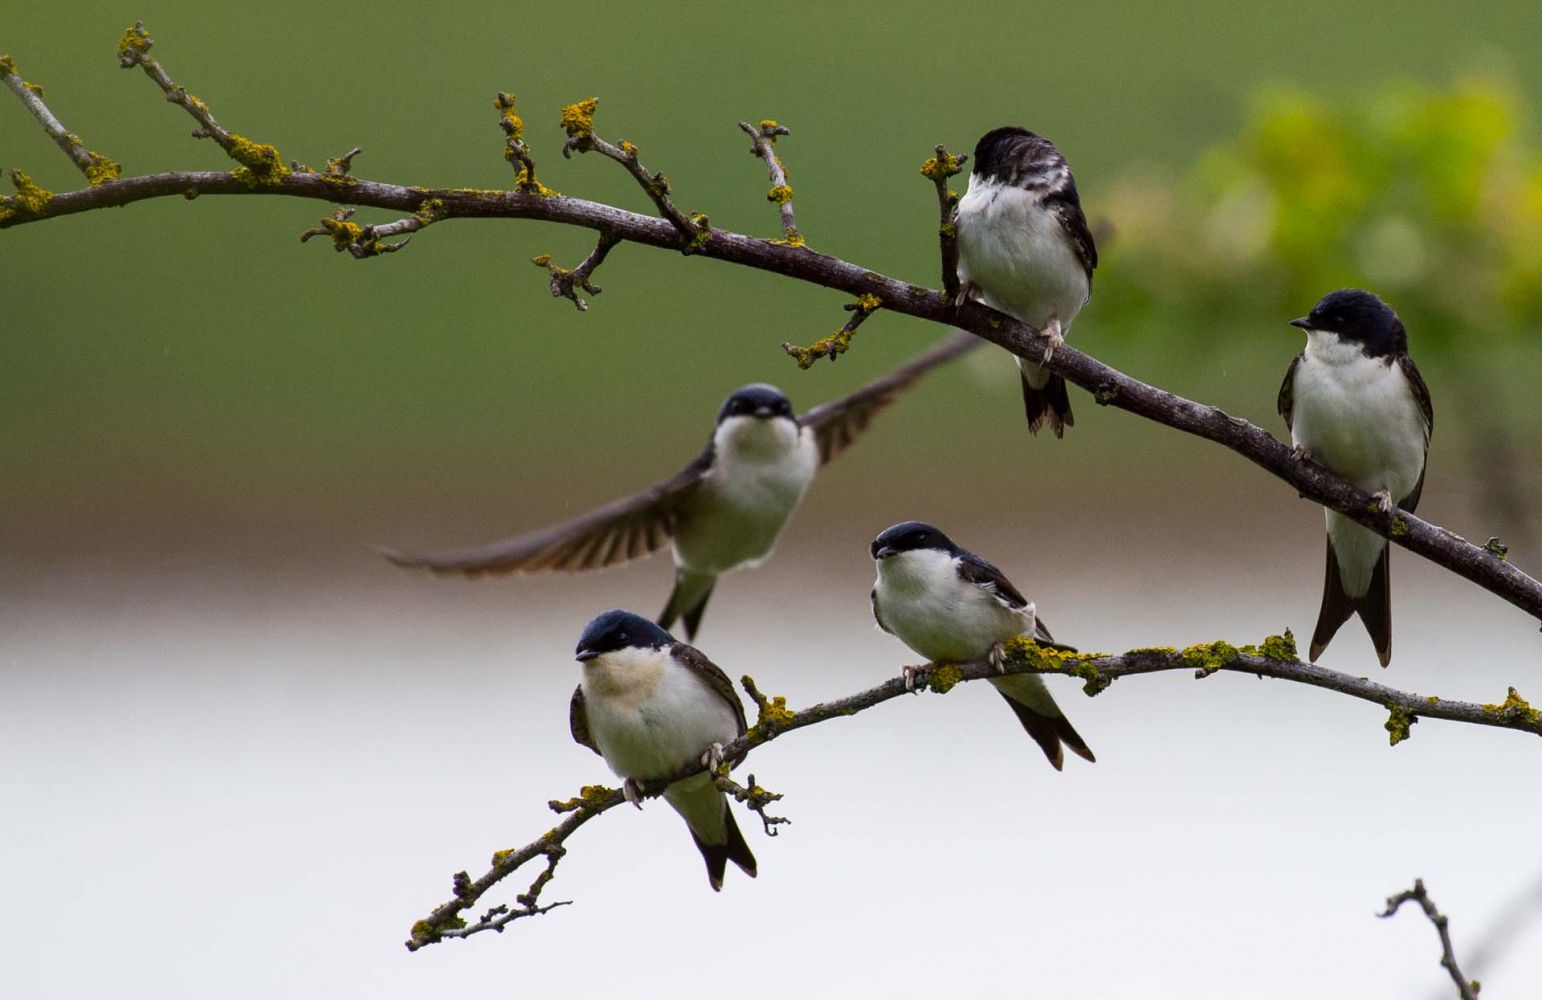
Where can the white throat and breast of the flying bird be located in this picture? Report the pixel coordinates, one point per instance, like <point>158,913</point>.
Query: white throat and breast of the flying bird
<point>761,471</point>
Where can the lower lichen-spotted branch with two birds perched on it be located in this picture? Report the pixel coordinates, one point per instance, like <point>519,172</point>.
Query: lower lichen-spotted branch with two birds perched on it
<point>1273,659</point>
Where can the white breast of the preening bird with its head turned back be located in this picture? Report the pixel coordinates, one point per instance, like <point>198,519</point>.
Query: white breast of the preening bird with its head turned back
<point>1015,253</point>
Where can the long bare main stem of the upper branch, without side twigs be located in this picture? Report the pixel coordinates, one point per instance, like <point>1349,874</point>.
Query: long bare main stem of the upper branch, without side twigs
<point>1111,388</point>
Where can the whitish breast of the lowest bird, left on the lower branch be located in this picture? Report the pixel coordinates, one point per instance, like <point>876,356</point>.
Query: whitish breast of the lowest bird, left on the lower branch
<point>650,716</point>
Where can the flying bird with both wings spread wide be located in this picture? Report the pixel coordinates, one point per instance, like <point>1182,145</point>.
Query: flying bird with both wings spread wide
<point>722,512</point>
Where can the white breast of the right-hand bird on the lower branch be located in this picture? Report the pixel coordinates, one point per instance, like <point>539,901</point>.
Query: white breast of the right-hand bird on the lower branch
<point>923,600</point>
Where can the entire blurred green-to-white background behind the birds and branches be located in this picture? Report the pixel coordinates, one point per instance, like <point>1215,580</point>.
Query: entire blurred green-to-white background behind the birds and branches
<point>203,424</point>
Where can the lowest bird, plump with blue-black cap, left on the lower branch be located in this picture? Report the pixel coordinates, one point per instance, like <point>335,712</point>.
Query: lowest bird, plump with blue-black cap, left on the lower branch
<point>653,706</point>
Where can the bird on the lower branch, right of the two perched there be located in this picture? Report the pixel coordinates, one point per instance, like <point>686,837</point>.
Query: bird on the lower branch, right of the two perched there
<point>952,606</point>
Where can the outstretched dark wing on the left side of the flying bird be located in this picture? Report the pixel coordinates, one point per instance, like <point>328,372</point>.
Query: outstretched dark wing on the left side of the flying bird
<point>614,534</point>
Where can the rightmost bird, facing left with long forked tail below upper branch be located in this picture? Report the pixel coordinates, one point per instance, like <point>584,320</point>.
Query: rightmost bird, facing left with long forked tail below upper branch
<point>1356,404</point>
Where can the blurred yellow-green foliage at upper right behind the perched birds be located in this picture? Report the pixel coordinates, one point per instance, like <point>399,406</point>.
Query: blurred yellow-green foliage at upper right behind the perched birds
<point>1429,196</point>
